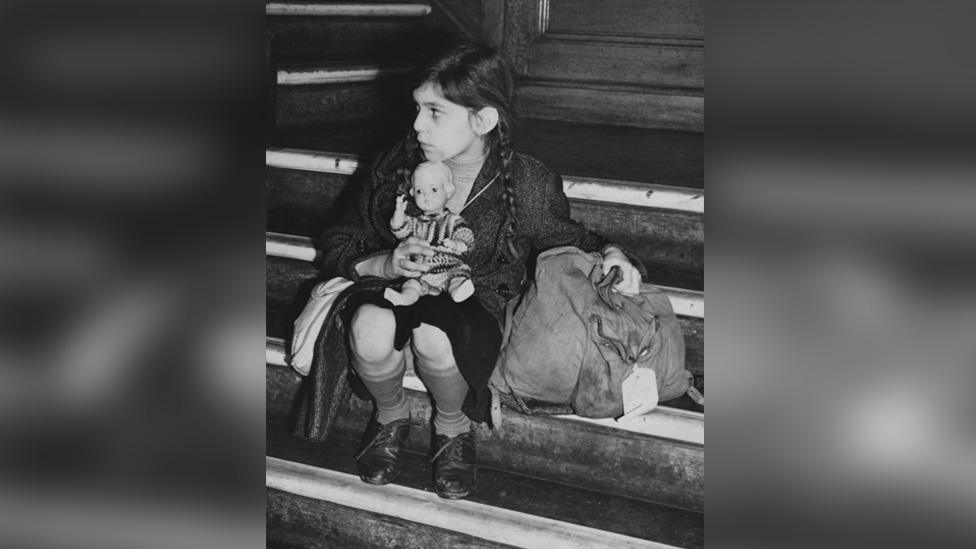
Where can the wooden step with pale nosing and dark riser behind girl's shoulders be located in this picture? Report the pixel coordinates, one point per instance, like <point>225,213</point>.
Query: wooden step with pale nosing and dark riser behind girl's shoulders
<point>663,225</point>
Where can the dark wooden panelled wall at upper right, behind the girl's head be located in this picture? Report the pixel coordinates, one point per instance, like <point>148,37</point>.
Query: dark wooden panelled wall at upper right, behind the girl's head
<point>621,62</point>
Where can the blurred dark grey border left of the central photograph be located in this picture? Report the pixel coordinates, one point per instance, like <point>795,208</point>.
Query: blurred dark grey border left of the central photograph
<point>132,405</point>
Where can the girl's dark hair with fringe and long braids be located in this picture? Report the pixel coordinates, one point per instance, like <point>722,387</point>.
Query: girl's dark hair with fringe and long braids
<point>476,76</point>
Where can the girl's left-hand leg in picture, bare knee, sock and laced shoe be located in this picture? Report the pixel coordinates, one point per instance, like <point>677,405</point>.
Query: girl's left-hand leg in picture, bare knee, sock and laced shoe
<point>381,369</point>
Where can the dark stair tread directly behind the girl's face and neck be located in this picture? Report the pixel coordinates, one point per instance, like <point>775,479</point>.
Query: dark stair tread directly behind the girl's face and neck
<point>639,155</point>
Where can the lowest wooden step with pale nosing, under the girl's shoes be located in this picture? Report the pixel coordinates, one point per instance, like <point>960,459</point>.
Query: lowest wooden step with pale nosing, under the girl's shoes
<point>317,484</point>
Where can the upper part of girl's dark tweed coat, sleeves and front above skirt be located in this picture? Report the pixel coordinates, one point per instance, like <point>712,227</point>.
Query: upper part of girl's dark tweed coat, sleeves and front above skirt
<point>542,222</point>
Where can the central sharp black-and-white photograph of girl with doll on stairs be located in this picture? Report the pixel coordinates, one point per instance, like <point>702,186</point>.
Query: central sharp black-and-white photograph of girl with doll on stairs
<point>485,274</point>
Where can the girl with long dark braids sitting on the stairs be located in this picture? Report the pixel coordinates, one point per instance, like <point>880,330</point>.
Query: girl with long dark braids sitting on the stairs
<point>514,205</point>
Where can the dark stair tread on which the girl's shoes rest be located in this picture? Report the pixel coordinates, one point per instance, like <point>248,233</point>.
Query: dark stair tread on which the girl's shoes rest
<point>514,492</point>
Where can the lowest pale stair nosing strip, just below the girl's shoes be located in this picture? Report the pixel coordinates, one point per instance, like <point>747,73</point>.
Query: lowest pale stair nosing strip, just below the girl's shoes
<point>467,517</point>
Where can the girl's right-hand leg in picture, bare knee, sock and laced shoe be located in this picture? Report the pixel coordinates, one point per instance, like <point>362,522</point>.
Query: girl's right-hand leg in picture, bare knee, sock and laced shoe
<point>454,464</point>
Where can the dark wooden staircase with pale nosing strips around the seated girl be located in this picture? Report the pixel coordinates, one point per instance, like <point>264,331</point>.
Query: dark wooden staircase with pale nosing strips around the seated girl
<point>543,481</point>
